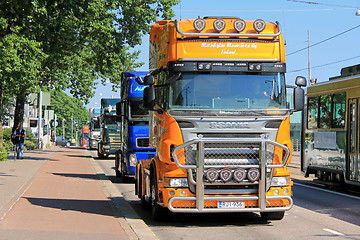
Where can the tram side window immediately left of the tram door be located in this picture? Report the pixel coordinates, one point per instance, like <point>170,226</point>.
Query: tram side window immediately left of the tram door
<point>338,111</point>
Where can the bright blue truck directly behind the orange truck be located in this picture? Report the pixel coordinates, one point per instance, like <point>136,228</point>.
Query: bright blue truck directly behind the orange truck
<point>134,120</point>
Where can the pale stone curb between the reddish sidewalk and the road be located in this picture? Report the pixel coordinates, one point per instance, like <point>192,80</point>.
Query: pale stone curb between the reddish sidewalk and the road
<point>142,231</point>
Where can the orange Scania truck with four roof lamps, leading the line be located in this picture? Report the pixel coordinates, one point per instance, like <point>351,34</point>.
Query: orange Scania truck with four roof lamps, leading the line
<point>219,118</point>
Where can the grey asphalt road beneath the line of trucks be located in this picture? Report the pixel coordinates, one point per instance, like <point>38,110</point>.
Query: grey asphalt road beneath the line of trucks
<point>316,214</point>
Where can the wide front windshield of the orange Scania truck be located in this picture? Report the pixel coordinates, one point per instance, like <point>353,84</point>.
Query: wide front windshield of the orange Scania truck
<point>226,91</point>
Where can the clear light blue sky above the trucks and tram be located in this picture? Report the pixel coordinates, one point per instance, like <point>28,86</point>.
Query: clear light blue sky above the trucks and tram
<point>333,27</point>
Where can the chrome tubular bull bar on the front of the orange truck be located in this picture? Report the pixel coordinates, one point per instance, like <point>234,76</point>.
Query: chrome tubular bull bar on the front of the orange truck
<point>200,166</point>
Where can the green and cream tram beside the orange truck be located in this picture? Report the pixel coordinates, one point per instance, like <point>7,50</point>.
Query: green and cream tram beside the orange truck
<point>331,129</point>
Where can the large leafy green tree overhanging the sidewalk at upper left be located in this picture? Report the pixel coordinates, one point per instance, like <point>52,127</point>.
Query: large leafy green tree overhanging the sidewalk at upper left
<point>71,44</point>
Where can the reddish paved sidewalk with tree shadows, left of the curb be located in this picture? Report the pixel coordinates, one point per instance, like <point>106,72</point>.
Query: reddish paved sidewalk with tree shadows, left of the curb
<point>56,194</point>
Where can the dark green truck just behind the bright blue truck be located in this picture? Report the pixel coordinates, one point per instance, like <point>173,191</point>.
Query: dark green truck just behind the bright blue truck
<point>109,128</point>
